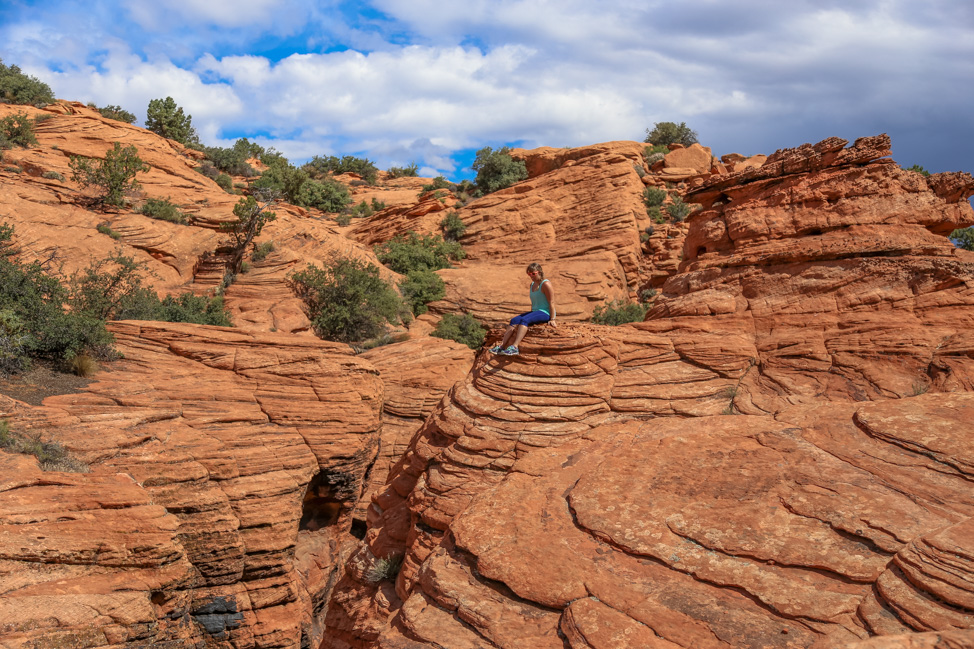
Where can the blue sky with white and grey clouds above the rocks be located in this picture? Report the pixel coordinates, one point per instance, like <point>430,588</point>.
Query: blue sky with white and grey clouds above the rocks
<point>432,81</point>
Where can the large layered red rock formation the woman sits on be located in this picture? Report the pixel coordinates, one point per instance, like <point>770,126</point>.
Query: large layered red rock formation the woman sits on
<point>777,457</point>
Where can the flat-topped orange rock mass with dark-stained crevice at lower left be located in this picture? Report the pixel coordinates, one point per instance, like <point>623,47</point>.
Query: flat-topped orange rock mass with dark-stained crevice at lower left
<point>225,467</point>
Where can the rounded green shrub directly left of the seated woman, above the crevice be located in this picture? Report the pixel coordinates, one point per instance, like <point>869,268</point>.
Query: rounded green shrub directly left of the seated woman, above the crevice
<point>347,300</point>
